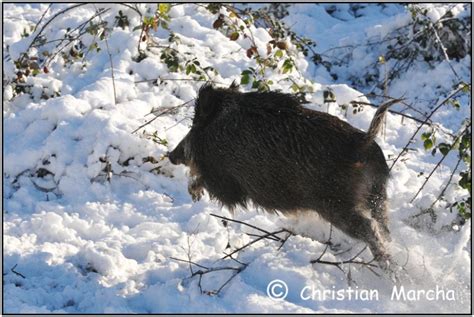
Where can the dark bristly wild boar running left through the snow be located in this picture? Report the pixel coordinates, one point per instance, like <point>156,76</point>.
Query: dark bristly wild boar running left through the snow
<point>266,148</point>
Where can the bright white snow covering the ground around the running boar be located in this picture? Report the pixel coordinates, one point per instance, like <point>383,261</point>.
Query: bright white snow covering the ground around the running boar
<point>92,227</point>
